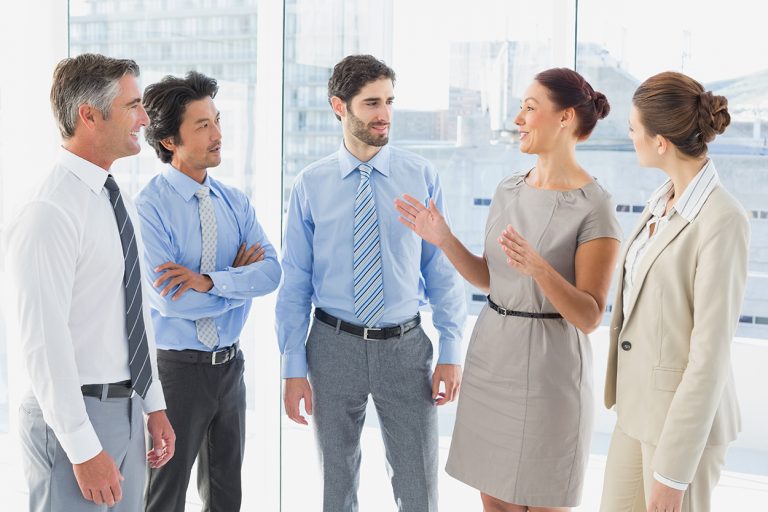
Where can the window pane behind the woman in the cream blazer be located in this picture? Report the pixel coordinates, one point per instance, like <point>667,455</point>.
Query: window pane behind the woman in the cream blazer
<point>620,45</point>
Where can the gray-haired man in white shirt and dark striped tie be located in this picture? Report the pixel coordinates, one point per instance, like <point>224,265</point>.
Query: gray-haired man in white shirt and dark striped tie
<point>85,330</point>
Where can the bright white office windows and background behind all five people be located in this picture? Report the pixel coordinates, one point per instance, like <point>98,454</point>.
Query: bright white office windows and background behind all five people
<point>461,70</point>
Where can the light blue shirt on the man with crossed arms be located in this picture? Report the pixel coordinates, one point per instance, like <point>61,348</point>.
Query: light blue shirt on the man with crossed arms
<point>170,227</point>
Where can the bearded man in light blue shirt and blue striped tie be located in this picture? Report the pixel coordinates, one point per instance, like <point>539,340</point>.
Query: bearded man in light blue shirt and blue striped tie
<point>367,275</point>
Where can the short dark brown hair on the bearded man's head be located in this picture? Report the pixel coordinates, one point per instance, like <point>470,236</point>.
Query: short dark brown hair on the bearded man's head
<point>353,72</point>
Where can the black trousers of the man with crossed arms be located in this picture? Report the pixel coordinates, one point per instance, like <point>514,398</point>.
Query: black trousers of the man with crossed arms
<point>206,408</point>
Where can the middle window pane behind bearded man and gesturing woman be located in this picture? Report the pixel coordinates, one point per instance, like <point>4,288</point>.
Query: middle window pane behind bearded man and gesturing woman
<point>460,77</point>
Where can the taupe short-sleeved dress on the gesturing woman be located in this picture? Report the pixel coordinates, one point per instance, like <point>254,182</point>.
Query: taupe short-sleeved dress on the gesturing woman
<point>524,417</point>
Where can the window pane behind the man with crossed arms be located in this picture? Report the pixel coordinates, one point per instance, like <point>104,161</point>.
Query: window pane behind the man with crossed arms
<point>217,38</point>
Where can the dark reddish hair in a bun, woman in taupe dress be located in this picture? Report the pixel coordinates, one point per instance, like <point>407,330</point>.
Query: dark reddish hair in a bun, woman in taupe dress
<point>568,89</point>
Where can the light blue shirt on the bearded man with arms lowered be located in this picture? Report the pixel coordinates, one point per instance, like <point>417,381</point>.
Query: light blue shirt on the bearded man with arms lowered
<point>317,253</point>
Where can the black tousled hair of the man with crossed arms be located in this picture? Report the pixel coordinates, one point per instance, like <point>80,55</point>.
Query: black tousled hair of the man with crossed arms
<point>165,103</point>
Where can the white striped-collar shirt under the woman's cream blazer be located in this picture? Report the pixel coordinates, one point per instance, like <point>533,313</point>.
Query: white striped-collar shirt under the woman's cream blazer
<point>687,206</point>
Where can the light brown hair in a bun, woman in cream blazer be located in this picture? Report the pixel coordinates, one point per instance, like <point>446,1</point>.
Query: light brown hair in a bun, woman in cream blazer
<point>678,108</point>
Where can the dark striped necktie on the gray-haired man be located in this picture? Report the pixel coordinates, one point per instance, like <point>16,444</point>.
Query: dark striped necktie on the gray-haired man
<point>138,363</point>
